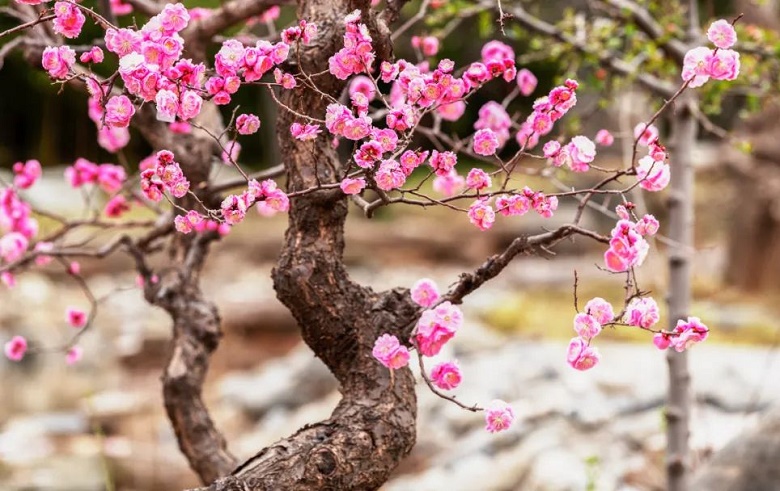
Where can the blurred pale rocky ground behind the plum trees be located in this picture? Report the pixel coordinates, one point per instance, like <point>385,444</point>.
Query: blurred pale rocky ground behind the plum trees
<point>100,425</point>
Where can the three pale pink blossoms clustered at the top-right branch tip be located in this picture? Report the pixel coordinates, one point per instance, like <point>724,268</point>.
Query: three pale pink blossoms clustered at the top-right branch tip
<point>702,63</point>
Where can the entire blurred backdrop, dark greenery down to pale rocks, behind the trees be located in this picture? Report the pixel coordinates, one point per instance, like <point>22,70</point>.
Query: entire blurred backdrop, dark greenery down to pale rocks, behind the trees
<point>100,424</point>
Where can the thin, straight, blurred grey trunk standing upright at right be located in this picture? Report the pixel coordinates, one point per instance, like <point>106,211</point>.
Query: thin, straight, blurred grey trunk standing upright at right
<point>681,228</point>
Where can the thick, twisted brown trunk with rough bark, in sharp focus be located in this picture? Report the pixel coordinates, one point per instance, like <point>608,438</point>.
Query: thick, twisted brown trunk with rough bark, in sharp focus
<point>373,426</point>
